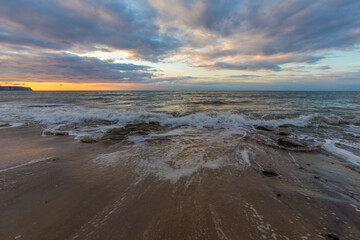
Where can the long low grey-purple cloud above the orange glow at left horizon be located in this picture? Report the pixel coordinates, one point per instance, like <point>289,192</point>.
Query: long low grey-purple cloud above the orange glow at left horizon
<point>76,68</point>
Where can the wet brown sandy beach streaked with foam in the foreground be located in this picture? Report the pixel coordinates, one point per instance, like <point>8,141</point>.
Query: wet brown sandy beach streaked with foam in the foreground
<point>78,191</point>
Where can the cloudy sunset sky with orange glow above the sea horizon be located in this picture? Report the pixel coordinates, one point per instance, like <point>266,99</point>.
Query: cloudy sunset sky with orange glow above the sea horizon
<point>180,44</point>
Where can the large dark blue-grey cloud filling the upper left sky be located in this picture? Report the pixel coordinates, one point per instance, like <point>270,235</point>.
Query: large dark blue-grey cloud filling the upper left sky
<point>59,24</point>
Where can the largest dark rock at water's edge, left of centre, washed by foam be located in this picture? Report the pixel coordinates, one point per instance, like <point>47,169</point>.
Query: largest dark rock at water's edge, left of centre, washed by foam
<point>131,129</point>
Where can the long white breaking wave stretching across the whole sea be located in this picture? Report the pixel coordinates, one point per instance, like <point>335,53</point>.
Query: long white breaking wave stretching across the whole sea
<point>51,115</point>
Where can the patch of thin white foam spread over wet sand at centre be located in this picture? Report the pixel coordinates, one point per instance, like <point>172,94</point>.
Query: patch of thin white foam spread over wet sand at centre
<point>171,162</point>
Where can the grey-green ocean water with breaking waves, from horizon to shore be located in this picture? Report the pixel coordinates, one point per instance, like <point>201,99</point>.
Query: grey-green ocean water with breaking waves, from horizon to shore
<point>323,121</point>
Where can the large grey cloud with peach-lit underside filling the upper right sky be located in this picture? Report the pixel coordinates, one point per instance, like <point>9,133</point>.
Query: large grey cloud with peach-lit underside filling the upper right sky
<point>228,32</point>
